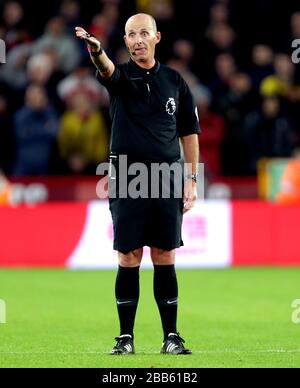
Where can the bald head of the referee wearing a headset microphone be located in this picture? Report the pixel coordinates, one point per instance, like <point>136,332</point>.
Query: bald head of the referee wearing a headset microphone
<point>141,38</point>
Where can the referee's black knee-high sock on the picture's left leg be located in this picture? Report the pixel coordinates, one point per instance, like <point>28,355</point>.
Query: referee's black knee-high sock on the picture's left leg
<point>127,295</point>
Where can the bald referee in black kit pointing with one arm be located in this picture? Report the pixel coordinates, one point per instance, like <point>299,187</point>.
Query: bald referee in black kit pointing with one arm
<point>152,109</point>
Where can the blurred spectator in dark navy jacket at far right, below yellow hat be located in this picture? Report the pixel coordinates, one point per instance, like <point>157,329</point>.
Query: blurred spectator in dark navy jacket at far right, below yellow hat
<point>268,132</point>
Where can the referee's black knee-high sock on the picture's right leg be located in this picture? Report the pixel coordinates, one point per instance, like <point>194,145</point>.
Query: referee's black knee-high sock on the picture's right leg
<point>166,296</point>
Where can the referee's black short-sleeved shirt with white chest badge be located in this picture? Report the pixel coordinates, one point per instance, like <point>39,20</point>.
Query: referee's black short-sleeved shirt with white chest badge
<point>150,110</point>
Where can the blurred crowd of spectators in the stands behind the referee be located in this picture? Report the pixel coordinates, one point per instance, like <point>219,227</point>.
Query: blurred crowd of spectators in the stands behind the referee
<point>235,55</point>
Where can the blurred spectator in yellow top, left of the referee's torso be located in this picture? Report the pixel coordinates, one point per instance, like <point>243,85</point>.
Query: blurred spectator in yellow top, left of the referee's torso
<point>83,137</point>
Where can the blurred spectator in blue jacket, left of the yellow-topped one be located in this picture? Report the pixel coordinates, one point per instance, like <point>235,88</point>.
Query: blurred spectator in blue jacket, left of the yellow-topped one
<point>36,127</point>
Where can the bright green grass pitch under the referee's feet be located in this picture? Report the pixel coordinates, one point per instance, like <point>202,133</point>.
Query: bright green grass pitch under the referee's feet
<point>230,318</point>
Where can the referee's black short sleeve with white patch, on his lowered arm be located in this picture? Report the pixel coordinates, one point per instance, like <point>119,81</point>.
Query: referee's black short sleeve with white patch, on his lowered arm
<point>187,119</point>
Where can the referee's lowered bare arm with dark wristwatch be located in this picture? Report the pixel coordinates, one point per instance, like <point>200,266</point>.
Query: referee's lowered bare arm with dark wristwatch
<point>191,153</point>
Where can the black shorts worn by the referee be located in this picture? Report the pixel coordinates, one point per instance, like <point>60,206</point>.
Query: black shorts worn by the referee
<point>153,222</point>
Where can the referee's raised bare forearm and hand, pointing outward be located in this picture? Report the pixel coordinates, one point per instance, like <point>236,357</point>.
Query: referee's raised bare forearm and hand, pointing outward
<point>98,56</point>
